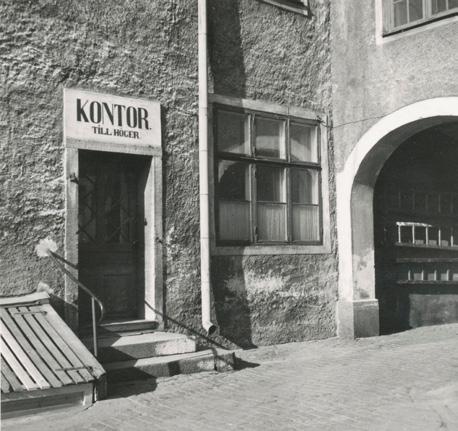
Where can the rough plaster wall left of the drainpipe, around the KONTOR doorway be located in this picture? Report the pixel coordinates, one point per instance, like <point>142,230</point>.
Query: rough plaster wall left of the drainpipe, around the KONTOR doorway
<point>140,48</point>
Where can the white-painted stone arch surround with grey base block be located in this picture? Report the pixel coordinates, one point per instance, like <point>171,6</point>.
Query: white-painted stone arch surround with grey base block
<point>357,309</point>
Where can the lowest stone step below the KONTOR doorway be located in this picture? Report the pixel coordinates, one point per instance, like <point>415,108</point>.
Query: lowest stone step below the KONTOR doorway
<point>166,366</point>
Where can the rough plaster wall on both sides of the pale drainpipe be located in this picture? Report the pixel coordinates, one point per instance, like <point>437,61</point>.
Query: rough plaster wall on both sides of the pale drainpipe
<point>149,49</point>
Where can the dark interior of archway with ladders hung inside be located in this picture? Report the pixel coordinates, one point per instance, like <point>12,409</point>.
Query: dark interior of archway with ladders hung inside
<point>416,232</point>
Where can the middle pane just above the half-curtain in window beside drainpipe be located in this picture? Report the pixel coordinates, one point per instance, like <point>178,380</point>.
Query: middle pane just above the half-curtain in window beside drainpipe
<point>270,184</point>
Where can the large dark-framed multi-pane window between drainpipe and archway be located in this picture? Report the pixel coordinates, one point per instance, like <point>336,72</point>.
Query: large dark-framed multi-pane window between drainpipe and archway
<point>268,177</point>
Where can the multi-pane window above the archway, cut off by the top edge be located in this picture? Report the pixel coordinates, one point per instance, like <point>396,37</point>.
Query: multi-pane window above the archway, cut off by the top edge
<point>401,14</point>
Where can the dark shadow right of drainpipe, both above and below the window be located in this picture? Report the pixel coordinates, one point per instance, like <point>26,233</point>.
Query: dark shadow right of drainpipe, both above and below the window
<point>228,77</point>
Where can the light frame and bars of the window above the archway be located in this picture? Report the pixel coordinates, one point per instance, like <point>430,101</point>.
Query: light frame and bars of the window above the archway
<point>428,16</point>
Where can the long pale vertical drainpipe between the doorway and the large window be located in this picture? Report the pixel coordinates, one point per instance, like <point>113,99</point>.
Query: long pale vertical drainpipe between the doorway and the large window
<point>203,169</point>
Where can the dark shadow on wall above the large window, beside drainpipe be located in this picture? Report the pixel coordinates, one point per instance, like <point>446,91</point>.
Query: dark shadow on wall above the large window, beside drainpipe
<point>225,48</point>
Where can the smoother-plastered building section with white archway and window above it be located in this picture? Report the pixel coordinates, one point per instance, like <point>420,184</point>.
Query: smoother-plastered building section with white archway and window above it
<point>394,94</point>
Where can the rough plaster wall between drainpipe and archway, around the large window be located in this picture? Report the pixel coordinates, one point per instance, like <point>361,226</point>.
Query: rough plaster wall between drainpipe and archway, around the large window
<point>261,52</point>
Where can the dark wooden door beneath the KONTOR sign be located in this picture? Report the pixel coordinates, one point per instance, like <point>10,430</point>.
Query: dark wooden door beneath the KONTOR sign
<point>111,220</point>
